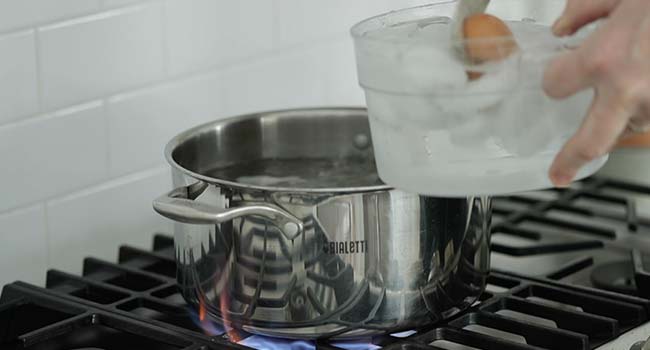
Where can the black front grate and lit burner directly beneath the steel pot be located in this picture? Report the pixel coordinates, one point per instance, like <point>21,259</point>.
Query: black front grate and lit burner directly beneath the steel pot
<point>93,312</point>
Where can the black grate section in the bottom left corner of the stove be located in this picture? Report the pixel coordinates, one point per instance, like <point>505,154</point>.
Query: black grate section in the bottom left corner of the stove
<point>32,319</point>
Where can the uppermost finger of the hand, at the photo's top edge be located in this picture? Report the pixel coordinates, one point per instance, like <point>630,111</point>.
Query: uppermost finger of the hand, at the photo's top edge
<point>579,13</point>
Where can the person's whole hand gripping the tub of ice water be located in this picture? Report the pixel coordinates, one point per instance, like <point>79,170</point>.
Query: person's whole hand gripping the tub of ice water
<point>615,62</point>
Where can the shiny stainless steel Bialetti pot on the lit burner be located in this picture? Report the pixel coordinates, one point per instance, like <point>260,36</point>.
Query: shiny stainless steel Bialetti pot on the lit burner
<point>284,229</point>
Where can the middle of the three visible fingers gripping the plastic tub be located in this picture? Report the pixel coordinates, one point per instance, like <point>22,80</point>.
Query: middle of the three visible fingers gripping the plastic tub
<point>566,75</point>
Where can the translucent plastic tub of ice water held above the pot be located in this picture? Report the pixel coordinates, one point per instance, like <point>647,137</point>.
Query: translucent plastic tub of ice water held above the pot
<point>435,132</point>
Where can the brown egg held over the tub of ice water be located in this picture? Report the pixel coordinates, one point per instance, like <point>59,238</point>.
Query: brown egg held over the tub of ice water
<point>487,39</point>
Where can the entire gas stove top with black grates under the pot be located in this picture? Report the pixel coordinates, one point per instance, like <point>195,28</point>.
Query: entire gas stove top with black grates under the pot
<point>571,270</point>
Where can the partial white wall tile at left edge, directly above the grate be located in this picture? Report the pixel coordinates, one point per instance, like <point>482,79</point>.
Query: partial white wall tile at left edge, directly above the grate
<point>24,246</point>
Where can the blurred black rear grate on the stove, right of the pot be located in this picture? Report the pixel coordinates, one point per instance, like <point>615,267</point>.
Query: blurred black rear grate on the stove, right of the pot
<point>589,235</point>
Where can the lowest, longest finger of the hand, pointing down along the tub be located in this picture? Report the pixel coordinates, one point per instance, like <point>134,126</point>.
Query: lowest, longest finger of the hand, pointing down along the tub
<point>598,134</point>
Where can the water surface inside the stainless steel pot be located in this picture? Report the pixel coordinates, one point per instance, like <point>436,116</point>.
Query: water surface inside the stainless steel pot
<point>303,173</point>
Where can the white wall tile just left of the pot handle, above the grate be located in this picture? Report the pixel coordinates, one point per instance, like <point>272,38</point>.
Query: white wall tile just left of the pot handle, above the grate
<point>96,221</point>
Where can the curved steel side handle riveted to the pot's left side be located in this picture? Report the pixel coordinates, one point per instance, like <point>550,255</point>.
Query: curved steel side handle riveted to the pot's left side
<point>178,205</point>
